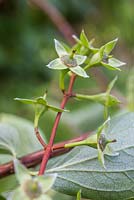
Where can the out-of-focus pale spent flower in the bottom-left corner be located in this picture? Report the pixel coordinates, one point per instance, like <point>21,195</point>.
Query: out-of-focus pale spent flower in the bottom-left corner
<point>31,187</point>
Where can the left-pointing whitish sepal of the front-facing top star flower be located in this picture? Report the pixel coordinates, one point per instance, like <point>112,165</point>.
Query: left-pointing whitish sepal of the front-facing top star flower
<point>56,64</point>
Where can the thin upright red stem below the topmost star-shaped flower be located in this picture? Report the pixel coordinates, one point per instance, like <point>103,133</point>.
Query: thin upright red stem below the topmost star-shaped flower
<point>56,123</point>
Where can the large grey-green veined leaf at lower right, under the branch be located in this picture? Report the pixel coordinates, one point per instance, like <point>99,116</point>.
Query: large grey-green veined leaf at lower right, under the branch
<point>80,169</point>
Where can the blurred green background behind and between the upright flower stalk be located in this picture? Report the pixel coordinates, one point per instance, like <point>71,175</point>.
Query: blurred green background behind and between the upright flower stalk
<point>26,46</point>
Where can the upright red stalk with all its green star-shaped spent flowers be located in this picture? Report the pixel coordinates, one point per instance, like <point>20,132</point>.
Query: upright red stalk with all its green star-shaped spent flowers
<point>73,62</point>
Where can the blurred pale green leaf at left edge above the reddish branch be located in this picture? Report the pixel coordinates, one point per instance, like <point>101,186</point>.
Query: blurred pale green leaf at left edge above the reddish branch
<point>17,133</point>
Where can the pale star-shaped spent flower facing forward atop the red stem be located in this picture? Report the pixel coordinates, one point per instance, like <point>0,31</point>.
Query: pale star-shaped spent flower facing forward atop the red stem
<point>70,61</point>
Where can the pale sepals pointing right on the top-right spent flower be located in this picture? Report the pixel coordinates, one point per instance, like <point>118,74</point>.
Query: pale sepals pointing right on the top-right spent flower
<point>113,64</point>
